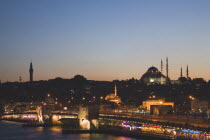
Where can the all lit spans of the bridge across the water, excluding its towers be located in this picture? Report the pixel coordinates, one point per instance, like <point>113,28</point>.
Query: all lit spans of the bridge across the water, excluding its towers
<point>143,124</point>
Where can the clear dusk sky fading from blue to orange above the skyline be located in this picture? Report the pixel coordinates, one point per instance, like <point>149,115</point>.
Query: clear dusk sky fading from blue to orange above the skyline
<point>103,39</point>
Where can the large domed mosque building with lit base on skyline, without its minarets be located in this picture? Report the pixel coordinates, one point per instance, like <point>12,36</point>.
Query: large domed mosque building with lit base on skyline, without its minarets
<point>153,76</point>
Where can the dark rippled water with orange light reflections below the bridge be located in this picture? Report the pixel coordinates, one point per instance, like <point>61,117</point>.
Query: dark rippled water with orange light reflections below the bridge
<point>15,131</point>
